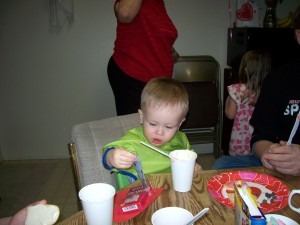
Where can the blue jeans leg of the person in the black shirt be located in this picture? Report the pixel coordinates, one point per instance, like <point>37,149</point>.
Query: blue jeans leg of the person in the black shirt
<point>228,162</point>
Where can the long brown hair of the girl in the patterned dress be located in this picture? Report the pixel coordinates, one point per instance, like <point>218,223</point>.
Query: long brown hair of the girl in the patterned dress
<point>255,66</point>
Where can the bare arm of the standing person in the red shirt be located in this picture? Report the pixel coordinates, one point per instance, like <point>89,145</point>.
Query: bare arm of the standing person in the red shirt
<point>126,10</point>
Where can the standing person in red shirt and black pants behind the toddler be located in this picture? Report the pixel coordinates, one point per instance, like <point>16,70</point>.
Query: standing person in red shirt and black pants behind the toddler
<point>143,50</point>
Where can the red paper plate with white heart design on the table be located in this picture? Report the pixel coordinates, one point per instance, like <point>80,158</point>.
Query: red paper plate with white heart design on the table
<point>271,194</point>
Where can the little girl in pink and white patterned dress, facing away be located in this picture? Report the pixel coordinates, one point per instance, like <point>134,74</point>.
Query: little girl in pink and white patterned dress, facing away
<point>254,67</point>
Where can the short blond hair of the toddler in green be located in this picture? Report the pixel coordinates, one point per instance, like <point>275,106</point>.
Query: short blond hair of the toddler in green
<point>163,91</point>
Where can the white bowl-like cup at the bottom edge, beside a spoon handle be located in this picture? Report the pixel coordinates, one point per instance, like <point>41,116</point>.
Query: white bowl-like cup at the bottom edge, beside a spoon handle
<point>171,216</point>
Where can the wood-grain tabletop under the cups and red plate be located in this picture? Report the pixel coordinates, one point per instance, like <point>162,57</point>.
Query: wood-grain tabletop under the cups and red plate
<point>197,199</point>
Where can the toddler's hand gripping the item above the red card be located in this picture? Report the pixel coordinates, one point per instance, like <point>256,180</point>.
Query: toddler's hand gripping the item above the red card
<point>120,158</point>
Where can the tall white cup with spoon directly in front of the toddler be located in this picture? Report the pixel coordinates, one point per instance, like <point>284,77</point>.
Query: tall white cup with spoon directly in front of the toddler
<point>183,169</point>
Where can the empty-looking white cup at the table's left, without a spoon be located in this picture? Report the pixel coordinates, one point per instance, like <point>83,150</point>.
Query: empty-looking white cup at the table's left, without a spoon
<point>97,202</point>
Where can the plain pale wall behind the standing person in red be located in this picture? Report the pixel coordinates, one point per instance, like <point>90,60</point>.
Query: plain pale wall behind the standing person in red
<point>53,80</point>
